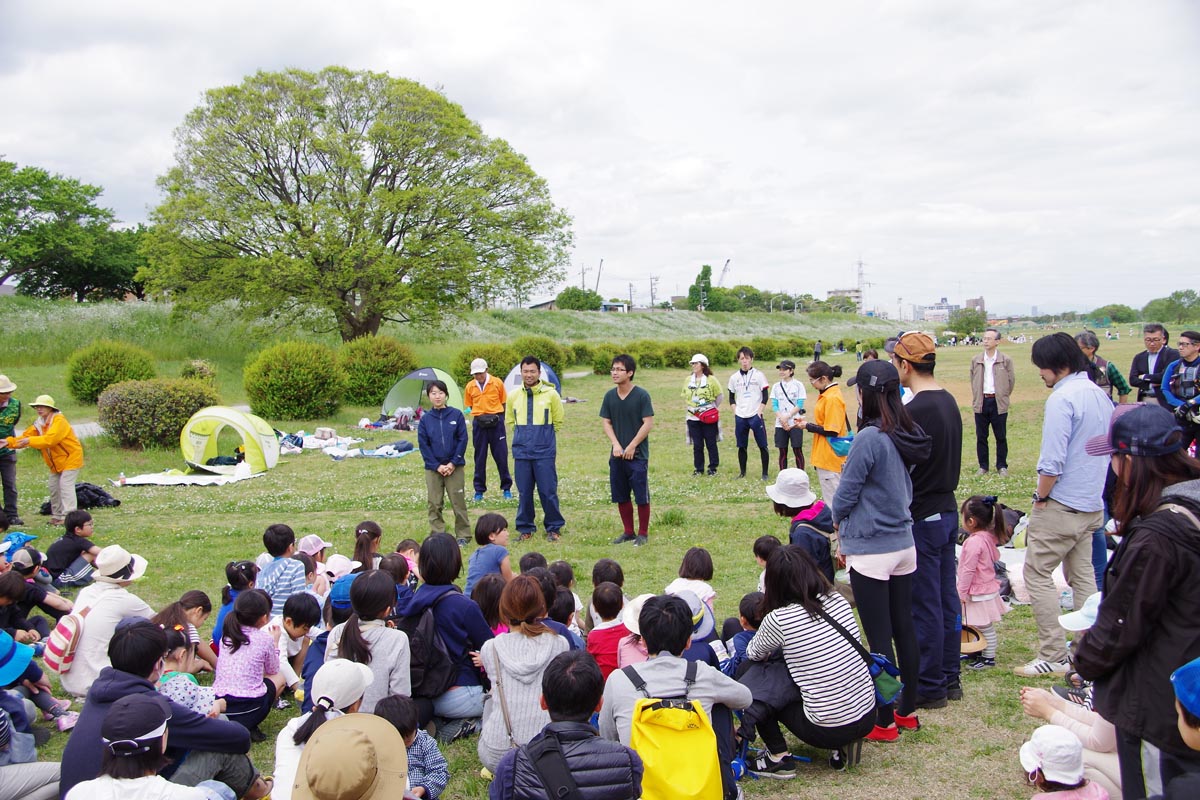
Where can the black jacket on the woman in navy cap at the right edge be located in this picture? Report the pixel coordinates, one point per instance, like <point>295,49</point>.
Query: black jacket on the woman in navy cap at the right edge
<point>1149,623</point>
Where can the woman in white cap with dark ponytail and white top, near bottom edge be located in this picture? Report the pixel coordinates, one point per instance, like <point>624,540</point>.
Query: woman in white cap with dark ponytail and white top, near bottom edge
<point>338,689</point>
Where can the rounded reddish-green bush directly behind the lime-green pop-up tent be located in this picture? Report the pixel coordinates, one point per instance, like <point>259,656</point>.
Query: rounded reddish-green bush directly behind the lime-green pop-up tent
<point>143,413</point>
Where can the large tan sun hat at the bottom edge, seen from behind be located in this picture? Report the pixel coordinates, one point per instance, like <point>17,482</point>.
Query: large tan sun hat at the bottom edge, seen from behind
<point>355,757</point>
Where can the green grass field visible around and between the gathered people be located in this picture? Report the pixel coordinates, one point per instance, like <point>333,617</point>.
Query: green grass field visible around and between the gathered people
<point>190,533</point>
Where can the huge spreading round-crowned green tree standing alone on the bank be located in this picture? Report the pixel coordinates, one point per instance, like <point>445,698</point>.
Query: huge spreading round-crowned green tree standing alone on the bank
<point>357,195</point>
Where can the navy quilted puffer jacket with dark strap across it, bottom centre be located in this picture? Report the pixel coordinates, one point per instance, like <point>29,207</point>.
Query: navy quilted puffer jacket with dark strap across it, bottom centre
<point>603,769</point>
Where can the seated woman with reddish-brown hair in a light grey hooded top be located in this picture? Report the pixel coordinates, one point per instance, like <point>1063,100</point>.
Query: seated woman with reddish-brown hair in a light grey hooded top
<point>515,661</point>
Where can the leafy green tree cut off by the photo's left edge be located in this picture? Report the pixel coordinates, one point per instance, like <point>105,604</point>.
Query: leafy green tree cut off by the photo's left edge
<point>46,221</point>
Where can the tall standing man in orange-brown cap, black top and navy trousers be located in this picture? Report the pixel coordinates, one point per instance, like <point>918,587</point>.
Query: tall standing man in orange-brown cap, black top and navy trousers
<point>935,522</point>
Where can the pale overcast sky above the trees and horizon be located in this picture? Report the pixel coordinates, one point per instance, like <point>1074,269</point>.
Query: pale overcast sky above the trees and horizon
<point>1034,153</point>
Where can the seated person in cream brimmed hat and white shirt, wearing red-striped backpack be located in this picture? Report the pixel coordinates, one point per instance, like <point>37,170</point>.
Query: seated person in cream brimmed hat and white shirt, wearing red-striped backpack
<point>109,601</point>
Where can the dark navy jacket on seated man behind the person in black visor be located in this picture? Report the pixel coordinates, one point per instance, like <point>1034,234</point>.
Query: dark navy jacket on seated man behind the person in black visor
<point>187,729</point>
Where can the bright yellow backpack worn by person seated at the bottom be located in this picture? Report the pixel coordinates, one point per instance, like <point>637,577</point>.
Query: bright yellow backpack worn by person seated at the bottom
<point>677,744</point>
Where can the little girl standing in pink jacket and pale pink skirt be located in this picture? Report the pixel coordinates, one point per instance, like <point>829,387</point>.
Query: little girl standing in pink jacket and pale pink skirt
<point>979,588</point>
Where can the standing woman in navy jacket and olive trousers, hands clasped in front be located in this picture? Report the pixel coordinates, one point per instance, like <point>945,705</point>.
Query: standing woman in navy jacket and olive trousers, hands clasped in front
<point>442,437</point>
